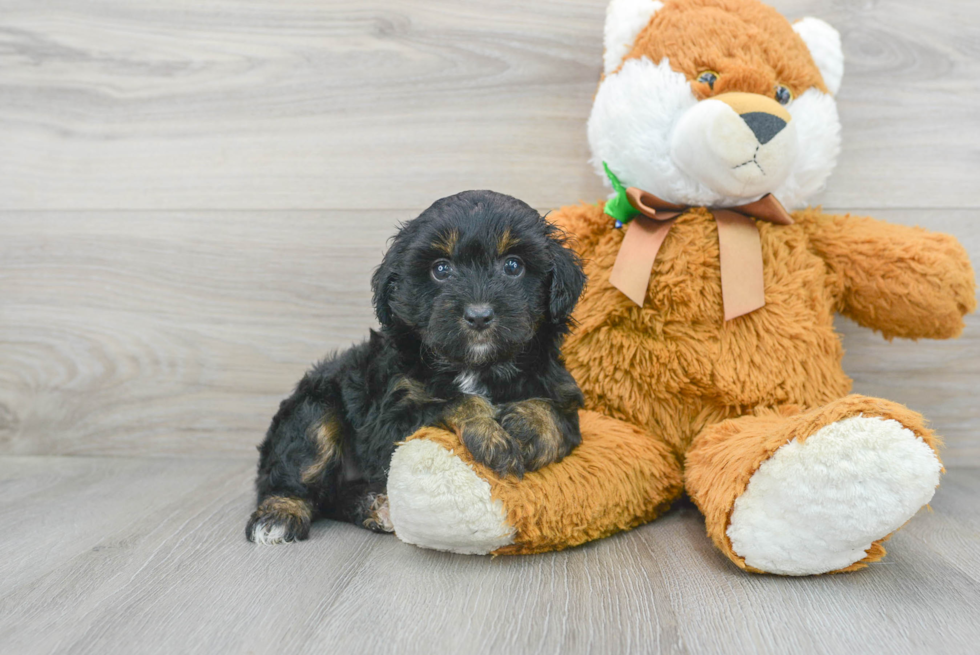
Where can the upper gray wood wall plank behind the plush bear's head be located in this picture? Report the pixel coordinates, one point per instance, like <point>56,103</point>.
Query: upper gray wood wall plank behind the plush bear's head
<point>291,104</point>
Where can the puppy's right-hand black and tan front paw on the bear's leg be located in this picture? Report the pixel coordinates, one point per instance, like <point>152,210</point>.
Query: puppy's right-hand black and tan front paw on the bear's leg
<point>532,424</point>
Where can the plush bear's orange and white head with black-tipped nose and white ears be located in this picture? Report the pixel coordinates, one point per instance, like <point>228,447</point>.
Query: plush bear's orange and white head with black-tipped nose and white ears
<point>717,102</point>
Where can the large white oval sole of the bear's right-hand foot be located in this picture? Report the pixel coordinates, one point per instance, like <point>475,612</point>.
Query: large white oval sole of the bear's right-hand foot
<point>817,506</point>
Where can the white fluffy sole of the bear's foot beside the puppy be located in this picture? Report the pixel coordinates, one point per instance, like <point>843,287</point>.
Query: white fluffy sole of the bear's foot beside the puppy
<point>436,501</point>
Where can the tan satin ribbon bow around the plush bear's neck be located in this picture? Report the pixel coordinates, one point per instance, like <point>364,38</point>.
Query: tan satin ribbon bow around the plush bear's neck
<point>740,249</point>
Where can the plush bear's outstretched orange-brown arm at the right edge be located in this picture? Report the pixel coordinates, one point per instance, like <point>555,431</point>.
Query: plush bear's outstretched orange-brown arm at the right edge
<point>902,281</point>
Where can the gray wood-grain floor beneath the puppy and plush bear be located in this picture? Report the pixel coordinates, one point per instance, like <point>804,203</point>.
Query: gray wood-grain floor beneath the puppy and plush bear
<point>178,576</point>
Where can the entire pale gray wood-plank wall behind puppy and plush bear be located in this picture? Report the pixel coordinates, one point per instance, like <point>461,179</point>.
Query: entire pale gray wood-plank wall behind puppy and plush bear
<point>193,195</point>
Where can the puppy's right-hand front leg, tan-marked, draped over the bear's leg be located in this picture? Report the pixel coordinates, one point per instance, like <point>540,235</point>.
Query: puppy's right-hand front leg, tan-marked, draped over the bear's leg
<point>545,432</point>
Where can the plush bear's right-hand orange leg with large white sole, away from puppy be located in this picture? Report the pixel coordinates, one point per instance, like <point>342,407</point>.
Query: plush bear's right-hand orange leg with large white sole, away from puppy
<point>806,492</point>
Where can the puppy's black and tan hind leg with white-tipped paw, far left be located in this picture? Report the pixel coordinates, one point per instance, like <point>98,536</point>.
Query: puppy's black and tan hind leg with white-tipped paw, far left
<point>299,465</point>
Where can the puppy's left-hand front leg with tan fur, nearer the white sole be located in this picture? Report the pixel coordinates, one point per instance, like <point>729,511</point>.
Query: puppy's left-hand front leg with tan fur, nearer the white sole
<point>473,419</point>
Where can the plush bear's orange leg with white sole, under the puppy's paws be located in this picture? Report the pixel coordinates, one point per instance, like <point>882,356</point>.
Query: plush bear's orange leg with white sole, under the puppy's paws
<point>618,478</point>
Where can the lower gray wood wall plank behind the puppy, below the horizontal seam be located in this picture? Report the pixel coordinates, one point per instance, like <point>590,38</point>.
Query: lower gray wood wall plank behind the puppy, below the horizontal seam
<point>129,333</point>
